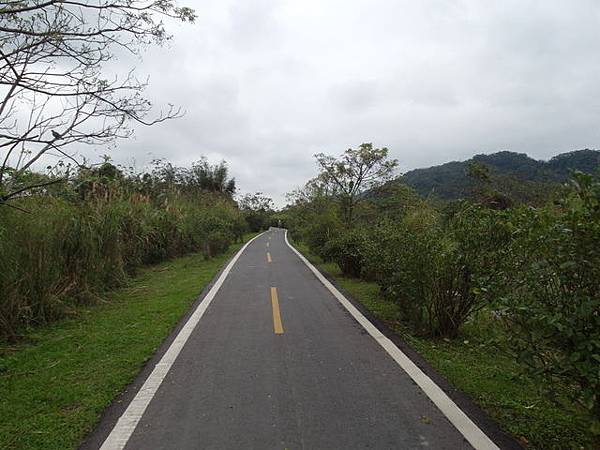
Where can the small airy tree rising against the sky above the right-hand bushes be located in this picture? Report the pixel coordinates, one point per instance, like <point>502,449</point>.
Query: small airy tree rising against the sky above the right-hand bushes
<point>355,172</point>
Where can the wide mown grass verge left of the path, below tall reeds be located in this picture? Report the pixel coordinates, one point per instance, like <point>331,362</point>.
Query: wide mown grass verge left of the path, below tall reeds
<point>56,382</point>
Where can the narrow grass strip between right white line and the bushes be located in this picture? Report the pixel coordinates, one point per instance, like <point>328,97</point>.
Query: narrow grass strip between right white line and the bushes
<point>491,379</point>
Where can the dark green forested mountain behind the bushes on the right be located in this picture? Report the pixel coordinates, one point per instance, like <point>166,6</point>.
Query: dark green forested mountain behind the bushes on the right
<point>514,173</point>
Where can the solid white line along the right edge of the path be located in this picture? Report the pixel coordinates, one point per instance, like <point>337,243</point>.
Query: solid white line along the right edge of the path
<point>472,433</point>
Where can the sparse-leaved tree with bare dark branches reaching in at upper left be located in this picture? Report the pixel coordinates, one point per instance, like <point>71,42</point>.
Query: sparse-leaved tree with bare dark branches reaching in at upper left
<point>53,87</point>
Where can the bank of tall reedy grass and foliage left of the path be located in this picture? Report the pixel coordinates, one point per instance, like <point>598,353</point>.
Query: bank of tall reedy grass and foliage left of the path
<point>91,234</point>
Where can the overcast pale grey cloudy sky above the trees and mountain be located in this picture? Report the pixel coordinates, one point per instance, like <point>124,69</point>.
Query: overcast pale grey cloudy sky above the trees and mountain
<point>266,84</point>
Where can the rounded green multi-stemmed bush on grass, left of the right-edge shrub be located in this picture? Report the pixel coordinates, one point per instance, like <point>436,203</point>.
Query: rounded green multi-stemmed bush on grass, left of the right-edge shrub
<point>433,268</point>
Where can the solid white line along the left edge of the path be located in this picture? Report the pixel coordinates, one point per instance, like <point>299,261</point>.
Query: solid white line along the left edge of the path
<point>123,429</point>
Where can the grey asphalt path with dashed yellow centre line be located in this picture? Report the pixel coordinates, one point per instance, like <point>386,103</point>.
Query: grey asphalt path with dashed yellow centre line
<point>277,362</point>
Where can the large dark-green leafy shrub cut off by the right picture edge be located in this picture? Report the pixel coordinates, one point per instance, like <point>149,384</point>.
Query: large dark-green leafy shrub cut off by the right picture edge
<point>550,290</point>
